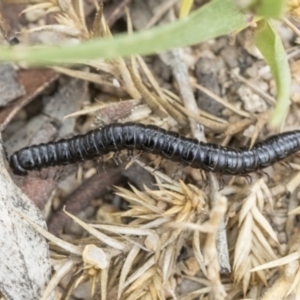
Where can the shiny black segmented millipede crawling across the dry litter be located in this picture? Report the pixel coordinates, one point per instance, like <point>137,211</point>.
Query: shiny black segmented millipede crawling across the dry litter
<point>152,139</point>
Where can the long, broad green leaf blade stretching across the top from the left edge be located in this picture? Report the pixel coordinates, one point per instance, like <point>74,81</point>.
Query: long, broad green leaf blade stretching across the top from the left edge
<point>214,19</point>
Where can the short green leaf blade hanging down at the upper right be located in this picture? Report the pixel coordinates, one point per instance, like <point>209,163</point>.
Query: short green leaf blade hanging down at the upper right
<point>270,45</point>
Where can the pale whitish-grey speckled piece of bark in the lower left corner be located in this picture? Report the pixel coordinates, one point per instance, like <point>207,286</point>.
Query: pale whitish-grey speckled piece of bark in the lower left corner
<point>25,267</point>
